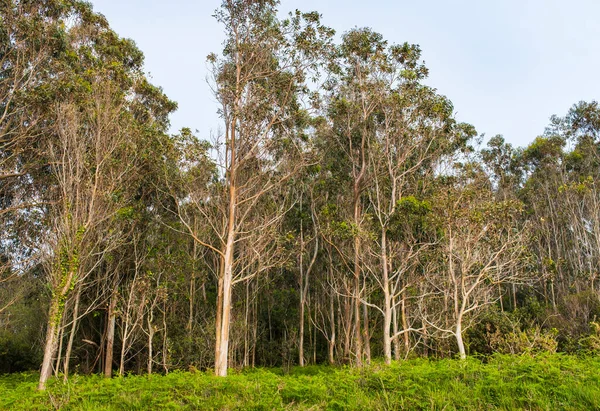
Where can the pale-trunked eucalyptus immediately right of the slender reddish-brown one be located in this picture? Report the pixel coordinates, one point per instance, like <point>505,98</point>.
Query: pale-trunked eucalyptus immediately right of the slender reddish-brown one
<point>414,129</point>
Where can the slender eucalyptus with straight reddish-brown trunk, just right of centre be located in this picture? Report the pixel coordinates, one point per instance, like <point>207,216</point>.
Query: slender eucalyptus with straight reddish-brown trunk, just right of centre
<point>353,98</point>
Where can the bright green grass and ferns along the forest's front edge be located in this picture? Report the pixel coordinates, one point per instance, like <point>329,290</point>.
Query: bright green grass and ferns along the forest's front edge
<point>553,382</point>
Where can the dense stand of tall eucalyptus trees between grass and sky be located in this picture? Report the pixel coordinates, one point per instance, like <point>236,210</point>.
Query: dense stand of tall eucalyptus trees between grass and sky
<point>339,214</point>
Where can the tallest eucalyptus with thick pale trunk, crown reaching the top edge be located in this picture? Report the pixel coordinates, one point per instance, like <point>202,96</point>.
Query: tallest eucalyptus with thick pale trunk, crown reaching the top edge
<point>259,82</point>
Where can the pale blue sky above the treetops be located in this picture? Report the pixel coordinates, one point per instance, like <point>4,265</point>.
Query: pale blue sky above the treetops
<point>507,65</point>
